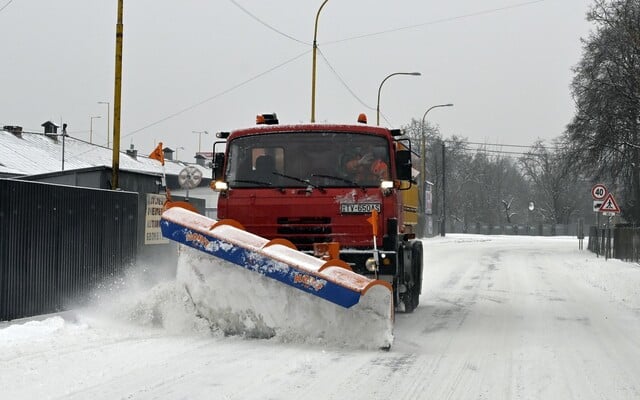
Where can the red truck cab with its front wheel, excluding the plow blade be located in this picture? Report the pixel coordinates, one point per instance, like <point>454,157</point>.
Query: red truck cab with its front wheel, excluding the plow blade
<point>296,182</point>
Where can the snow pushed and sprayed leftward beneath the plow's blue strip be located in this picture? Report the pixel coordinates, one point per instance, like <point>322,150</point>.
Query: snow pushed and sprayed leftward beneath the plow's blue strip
<point>215,297</point>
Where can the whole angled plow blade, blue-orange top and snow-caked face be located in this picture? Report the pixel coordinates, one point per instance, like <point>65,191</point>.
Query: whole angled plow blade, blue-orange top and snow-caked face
<point>285,291</point>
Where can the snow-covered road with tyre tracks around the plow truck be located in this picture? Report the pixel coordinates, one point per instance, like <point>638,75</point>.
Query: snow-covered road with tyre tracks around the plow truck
<point>500,318</point>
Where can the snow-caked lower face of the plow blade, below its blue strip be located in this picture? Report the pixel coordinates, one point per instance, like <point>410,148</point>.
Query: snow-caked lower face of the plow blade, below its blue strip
<point>237,301</point>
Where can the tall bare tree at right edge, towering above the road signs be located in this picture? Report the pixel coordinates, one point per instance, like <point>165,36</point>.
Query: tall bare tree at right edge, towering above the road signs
<point>603,136</point>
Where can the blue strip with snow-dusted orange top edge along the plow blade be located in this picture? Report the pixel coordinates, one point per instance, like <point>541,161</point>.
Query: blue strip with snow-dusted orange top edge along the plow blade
<point>276,259</point>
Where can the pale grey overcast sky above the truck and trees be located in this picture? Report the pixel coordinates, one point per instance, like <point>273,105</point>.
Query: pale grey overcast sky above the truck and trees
<point>213,65</point>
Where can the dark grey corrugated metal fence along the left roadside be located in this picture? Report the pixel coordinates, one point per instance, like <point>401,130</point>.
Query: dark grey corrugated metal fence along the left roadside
<point>58,242</point>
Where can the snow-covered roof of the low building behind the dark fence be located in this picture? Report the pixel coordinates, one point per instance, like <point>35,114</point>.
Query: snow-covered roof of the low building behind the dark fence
<point>37,153</point>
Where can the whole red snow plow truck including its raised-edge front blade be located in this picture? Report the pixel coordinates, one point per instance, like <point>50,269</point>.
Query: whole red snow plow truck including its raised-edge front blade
<point>328,210</point>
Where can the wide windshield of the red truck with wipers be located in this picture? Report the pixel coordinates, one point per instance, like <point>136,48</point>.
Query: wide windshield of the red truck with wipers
<point>302,159</point>
